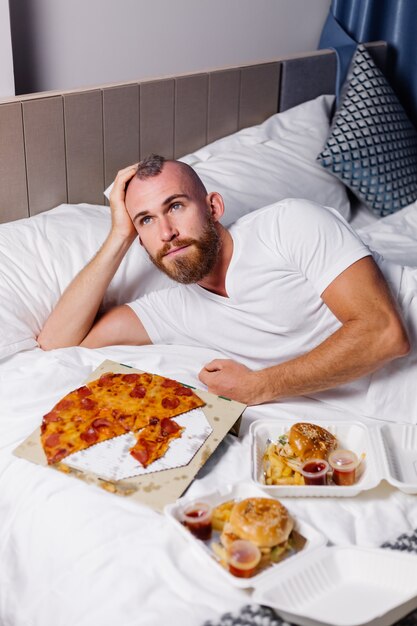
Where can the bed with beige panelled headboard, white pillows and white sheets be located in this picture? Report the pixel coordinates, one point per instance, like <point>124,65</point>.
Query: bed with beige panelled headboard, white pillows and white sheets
<point>72,553</point>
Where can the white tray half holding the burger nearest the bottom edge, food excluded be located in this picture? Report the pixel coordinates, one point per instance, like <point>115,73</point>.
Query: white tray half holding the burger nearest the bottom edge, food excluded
<point>206,554</point>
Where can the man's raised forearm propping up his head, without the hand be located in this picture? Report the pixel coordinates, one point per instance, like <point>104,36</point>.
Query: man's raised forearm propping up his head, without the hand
<point>77,308</point>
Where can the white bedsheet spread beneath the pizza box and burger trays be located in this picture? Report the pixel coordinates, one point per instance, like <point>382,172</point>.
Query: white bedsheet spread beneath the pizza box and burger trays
<point>72,554</point>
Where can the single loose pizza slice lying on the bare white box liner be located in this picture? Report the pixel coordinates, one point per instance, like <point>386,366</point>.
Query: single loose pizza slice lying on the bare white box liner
<point>154,439</point>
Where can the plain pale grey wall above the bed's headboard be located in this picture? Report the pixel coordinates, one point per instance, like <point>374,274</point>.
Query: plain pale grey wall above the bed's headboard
<point>61,44</point>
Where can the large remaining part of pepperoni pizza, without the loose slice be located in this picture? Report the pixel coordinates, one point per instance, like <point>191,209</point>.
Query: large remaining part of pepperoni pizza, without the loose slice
<point>111,406</point>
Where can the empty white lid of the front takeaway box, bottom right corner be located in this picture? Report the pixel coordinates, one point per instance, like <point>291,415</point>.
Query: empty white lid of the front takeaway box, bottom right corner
<point>336,586</point>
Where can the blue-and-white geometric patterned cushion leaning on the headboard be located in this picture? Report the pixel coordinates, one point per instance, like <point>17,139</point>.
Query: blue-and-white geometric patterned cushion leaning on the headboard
<point>372,146</point>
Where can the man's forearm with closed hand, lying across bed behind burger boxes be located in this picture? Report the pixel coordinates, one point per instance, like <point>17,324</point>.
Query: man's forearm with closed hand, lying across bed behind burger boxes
<point>351,352</point>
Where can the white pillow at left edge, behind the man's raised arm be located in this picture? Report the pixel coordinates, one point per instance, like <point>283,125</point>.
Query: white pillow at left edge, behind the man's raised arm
<point>40,255</point>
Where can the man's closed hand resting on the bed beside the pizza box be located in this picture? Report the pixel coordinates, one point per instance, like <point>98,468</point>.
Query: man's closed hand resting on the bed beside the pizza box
<point>232,380</point>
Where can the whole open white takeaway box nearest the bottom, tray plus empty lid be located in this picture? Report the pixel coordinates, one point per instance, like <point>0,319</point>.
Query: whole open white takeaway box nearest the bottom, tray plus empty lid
<point>320,585</point>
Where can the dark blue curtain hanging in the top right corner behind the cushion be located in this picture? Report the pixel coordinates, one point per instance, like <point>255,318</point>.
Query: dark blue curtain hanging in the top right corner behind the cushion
<point>394,21</point>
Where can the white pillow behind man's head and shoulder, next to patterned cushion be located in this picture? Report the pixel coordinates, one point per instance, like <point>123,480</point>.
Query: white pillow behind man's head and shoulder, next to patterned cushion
<point>262,164</point>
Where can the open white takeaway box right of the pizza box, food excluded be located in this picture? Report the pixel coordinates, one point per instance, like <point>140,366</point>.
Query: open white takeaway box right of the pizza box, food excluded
<point>390,453</point>
